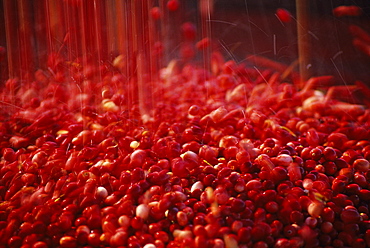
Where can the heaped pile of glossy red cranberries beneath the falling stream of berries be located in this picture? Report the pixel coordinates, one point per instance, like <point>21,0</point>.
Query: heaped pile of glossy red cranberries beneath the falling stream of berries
<point>234,156</point>
